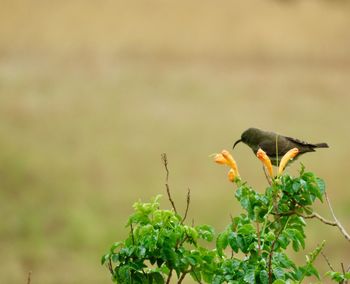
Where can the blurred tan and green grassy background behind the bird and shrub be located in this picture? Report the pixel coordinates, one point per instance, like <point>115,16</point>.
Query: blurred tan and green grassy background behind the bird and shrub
<point>92,92</point>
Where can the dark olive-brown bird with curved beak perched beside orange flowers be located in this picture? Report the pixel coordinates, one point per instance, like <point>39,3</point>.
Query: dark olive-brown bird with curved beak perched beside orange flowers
<point>274,144</point>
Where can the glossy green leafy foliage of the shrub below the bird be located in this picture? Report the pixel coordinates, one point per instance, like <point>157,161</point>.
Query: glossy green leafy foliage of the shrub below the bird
<point>252,248</point>
